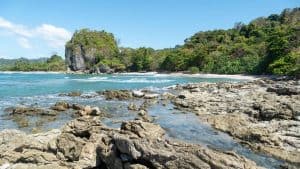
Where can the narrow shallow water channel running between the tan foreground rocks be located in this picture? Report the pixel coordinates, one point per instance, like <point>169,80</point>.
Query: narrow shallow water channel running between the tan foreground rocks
<point>187,127</point>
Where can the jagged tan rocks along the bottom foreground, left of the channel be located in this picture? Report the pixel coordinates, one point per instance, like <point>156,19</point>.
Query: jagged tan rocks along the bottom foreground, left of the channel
<point>86,143</point>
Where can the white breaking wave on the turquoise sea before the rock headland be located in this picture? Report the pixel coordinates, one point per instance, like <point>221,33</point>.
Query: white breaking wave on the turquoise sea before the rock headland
<point>131,80</point>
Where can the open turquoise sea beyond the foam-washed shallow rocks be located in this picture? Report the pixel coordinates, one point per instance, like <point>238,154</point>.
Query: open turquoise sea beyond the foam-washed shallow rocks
<point>31,84</point>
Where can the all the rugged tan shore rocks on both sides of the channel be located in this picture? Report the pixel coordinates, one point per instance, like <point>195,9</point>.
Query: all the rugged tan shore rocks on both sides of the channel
<point>262,114</point>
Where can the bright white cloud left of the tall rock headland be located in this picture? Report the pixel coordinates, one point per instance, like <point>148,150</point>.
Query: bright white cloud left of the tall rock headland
<point>54,37</point>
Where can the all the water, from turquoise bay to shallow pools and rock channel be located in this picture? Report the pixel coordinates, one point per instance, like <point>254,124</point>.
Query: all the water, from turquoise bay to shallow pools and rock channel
<point>41,89</point>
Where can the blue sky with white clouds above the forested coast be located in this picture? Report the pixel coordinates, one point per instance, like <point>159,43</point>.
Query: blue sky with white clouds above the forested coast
<point>40,28</point>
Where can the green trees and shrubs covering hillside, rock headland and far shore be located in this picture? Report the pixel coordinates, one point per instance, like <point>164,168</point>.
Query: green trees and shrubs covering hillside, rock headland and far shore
<point>267,45</point>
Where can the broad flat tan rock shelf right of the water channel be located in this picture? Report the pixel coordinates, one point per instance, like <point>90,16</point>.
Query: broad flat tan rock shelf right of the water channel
<point>261,114</point>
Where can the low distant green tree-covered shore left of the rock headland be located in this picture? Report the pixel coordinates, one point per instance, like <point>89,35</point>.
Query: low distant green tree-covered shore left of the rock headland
<point>54,63</point>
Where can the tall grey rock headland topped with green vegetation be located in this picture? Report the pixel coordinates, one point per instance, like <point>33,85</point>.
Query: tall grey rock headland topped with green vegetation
<point>87,48</point>
